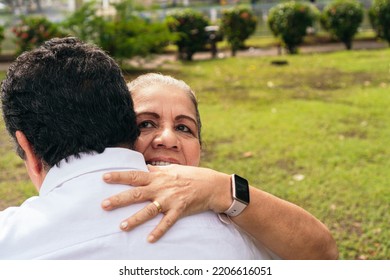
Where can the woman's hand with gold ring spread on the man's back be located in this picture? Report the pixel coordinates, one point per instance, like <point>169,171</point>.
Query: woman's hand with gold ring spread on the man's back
<point>180,190</point>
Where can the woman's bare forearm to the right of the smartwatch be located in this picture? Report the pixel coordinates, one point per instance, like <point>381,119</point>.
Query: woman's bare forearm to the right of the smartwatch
<point>286,229</point>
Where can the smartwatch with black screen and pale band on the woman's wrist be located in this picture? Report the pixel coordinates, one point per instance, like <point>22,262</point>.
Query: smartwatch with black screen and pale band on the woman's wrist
<point>240,195</point>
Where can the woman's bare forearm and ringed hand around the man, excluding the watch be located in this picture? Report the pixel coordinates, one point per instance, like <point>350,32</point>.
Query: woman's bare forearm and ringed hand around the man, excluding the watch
<point>286,229</point>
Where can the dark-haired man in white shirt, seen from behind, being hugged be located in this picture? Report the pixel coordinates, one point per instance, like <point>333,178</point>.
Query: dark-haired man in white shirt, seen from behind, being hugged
<point>67,106</point>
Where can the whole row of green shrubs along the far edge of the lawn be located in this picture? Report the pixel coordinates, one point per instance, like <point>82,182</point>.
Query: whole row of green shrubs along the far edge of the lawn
<point>126,35</point>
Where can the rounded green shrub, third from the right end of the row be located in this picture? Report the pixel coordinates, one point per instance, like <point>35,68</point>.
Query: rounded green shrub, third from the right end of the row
<point>289,21</point>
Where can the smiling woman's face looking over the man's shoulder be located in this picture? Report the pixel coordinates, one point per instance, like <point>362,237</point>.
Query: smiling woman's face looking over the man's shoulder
<point>167,120</point>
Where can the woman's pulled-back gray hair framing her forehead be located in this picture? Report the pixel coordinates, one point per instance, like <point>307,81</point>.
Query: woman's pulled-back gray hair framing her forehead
<point>151,79</point>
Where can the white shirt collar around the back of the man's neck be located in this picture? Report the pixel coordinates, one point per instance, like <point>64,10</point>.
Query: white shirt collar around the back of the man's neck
<point>111,159</point>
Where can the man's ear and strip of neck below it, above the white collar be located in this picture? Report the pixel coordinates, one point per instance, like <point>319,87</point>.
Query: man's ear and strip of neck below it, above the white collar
<point>33,163</point>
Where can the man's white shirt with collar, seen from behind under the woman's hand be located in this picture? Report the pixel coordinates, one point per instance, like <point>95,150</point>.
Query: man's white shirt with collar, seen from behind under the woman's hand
<point>66,220</point>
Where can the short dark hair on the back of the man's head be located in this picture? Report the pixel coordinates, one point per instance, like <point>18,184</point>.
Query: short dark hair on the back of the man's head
<point>68,97</point>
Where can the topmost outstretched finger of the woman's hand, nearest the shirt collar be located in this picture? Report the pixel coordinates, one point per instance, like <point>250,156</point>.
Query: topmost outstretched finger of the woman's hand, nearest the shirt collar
<point>134,178</point>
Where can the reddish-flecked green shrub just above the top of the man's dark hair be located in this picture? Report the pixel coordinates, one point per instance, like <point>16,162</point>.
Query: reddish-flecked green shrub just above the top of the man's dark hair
<point>32,31</point>
